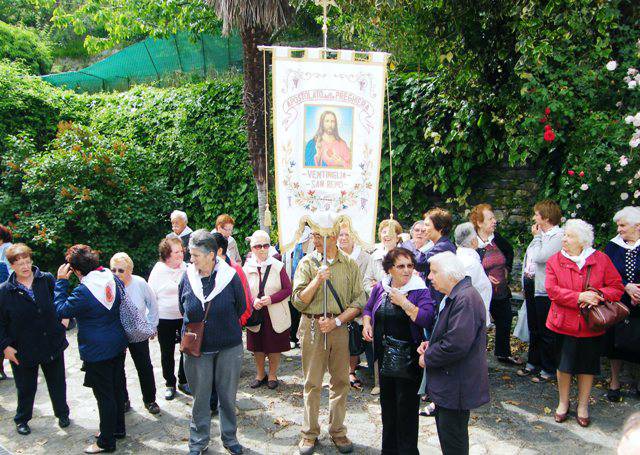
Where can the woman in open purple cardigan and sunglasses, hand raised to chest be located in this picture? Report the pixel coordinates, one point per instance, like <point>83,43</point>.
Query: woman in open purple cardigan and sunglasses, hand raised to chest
<point>399,308</point>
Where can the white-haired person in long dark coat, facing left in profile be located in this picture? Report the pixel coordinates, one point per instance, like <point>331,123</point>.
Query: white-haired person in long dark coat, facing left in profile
<point>455,357</point>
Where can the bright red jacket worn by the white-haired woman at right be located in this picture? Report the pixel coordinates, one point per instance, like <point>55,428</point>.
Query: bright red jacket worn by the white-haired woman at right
<point>565,282</point>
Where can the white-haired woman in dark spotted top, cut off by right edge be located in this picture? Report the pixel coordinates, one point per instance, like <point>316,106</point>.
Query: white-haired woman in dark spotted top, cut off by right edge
<point>624,252</point>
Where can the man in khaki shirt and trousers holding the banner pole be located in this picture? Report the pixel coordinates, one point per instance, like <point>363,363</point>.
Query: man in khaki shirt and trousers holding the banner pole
<point>345,299</point>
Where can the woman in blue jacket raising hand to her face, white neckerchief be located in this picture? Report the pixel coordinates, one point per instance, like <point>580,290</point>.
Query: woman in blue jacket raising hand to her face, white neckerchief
<point>95,303</point>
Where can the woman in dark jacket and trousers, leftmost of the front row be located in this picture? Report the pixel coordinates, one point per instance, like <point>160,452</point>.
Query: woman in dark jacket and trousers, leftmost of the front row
<point>32,336</point>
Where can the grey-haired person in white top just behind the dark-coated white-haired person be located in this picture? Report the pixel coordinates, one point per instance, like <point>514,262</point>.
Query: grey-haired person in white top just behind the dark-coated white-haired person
<point>467,242</point>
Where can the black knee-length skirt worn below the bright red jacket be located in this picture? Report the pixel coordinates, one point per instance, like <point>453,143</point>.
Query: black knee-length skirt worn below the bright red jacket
<point>578,355</point>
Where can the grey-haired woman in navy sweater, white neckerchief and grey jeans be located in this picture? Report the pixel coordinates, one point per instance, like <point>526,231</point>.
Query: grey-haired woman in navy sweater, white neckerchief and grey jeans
<point>211,292</point>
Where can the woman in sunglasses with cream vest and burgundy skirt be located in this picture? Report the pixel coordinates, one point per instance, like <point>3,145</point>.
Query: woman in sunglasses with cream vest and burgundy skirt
<point>271,285</point>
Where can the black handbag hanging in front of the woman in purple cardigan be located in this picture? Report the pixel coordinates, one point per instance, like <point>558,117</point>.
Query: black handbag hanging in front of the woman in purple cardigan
<point>399,357</point>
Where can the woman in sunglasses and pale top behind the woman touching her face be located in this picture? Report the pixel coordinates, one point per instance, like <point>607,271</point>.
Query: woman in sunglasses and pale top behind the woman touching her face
<point>144,298</point>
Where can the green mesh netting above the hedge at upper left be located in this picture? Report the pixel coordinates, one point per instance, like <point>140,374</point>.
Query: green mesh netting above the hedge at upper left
<point>153,59</point>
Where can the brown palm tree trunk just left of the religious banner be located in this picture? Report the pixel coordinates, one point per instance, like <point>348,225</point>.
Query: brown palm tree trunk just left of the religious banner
<point>253,100</point>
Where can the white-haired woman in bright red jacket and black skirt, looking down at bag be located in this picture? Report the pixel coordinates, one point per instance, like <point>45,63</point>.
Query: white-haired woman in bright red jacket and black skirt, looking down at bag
<point>578,348</point>
